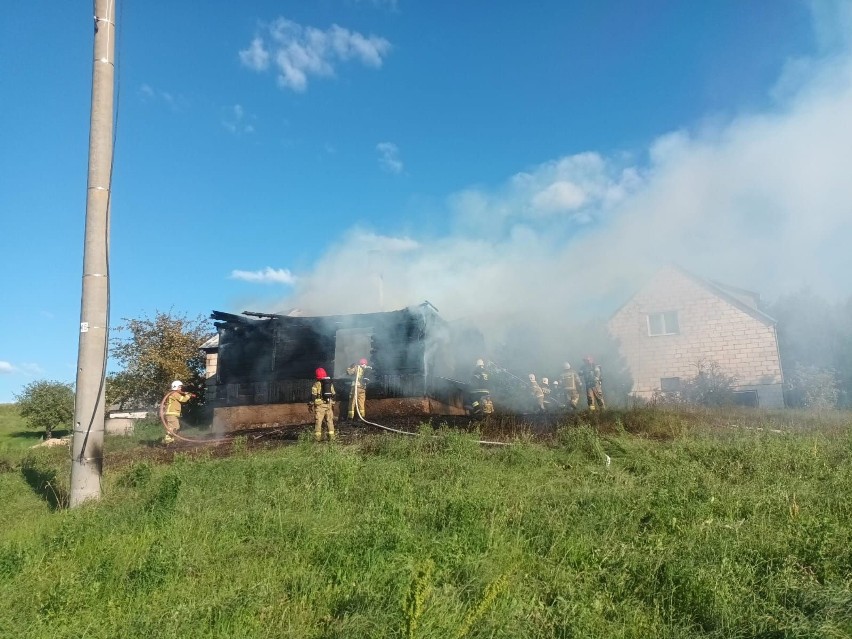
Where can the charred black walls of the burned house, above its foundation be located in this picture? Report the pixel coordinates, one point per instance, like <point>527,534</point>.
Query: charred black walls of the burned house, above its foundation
<point>272,360</point>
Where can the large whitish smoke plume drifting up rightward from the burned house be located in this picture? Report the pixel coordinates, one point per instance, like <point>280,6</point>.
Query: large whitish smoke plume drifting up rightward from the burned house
<point>762,201</point>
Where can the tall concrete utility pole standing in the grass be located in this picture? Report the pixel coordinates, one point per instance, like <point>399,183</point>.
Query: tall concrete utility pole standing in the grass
<point>87,445</point>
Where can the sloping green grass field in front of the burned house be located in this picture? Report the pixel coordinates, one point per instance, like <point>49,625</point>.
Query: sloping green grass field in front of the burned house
<point>703,525</point>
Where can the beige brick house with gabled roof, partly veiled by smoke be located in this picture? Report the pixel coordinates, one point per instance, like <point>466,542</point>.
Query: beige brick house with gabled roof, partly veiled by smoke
<point>677,320</point>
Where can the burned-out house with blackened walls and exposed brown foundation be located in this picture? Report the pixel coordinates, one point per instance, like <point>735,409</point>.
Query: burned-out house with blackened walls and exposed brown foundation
<point>265,363</point>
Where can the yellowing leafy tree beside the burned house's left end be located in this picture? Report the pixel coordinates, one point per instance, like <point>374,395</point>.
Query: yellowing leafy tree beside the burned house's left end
<point>152,353</point>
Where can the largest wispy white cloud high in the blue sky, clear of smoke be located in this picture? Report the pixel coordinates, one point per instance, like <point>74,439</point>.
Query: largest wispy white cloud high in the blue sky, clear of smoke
<point>298,52</point>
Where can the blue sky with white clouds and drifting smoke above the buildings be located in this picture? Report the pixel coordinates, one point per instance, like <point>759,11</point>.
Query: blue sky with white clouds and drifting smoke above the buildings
<point>343,156</point>
